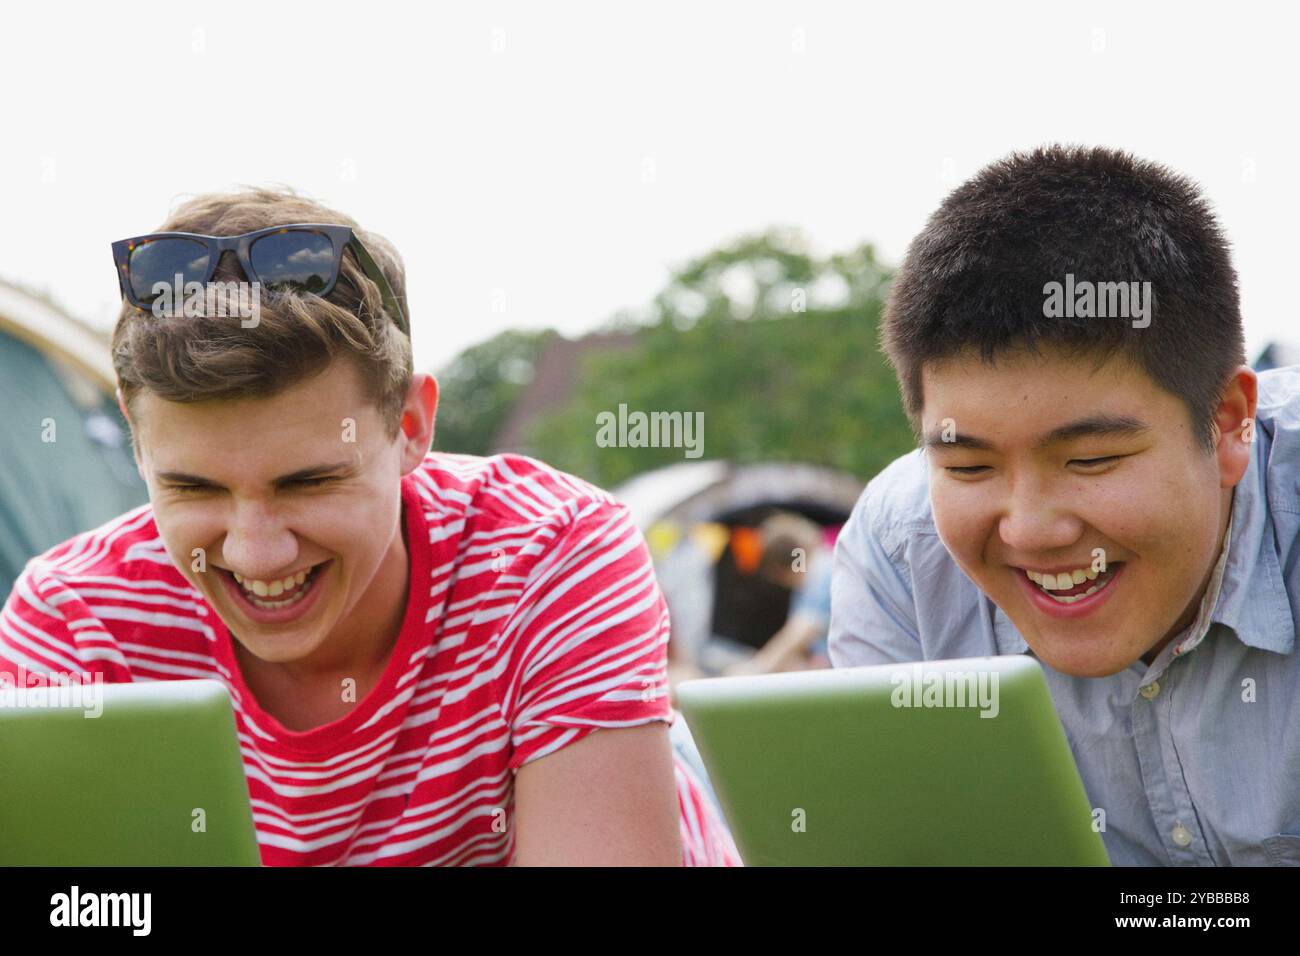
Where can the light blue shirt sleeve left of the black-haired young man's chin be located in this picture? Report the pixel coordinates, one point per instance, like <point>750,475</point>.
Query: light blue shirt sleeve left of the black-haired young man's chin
<point>873,608</point>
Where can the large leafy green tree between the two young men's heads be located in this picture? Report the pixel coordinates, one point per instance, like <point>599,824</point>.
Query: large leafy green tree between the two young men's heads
<point>775,347</point>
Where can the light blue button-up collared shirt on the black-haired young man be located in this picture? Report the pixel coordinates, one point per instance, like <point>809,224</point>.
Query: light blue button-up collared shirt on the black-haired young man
<point>1195,759</point>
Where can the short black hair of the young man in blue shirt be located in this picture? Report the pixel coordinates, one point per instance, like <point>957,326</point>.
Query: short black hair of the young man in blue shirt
<point>976,278</point>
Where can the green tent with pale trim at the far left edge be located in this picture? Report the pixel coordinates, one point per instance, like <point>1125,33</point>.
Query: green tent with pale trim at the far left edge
<point>66,458</point>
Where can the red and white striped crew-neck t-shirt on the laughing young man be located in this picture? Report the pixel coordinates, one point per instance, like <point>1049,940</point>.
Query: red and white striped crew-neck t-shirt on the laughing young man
<point>534,618</point>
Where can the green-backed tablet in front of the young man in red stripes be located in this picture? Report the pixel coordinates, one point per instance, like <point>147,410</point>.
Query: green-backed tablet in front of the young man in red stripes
<point>145,775</point>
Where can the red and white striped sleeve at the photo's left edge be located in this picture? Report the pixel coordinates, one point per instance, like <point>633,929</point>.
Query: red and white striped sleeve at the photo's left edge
<point>46,628</point>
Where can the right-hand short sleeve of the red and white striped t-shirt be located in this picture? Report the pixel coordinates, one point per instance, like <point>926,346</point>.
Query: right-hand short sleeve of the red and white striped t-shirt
<point>591,638</point>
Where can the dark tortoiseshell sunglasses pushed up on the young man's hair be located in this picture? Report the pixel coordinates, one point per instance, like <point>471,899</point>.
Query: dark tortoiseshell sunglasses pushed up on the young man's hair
<point>304,257</point>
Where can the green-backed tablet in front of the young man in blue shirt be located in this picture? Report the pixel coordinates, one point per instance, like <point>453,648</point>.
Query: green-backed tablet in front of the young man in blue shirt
<point>955,763</point>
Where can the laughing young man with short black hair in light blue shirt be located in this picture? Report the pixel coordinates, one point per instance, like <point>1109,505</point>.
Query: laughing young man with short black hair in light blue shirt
<point>1104,485</point>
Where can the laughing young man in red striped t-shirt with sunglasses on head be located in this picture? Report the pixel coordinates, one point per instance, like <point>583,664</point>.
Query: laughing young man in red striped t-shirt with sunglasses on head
<point>419,646</point>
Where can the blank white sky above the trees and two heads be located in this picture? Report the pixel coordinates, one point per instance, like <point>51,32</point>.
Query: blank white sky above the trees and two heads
<point>506,148</point>
